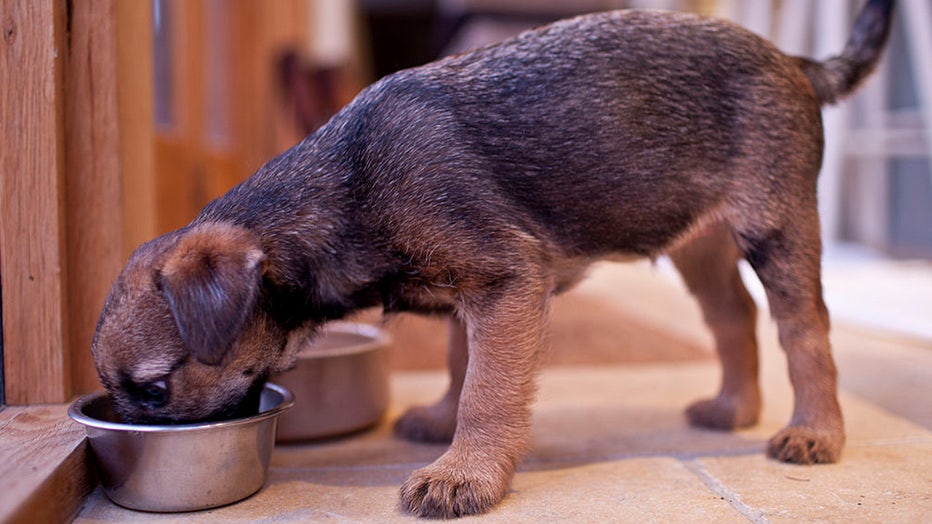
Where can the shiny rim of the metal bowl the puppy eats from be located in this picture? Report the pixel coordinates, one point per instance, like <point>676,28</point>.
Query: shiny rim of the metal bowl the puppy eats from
<point>76,412</point>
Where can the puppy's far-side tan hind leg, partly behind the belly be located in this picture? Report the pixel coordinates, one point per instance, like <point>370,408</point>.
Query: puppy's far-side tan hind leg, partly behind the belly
<point>708,265</point>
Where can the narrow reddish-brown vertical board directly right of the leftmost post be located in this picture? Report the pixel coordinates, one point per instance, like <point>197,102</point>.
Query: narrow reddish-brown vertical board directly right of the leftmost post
<point>92,186</point>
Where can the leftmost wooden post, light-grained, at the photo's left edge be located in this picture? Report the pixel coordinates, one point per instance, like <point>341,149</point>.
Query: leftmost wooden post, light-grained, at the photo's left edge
<point>32,163</point>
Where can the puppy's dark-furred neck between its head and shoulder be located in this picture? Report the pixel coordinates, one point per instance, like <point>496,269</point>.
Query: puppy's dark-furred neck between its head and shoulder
<point>315,266</point>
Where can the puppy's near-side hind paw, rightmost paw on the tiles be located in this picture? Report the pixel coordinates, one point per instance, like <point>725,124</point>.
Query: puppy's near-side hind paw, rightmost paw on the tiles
<point>803,445</point>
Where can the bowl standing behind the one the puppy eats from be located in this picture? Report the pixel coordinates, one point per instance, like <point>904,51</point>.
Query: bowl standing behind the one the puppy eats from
<point>340,383</point>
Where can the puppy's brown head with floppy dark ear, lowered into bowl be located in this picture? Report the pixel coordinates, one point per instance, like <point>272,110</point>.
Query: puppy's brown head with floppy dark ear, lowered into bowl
<point>182,337</point>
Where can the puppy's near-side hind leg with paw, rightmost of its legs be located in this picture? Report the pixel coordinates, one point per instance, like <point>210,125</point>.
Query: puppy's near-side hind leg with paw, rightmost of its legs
<point>788,264</point>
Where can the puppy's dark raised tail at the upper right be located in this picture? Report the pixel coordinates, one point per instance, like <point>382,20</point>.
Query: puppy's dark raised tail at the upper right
<point>841,75</point>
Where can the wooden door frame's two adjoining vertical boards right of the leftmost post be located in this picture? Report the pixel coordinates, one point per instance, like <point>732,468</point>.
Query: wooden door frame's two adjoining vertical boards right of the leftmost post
<point>109,160</point>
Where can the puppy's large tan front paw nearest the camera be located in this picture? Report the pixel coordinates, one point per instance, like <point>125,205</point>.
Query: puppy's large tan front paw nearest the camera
<point>449,489</point>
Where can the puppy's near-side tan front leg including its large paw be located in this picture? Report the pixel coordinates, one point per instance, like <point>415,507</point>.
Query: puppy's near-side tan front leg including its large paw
<point>504,329</point>
